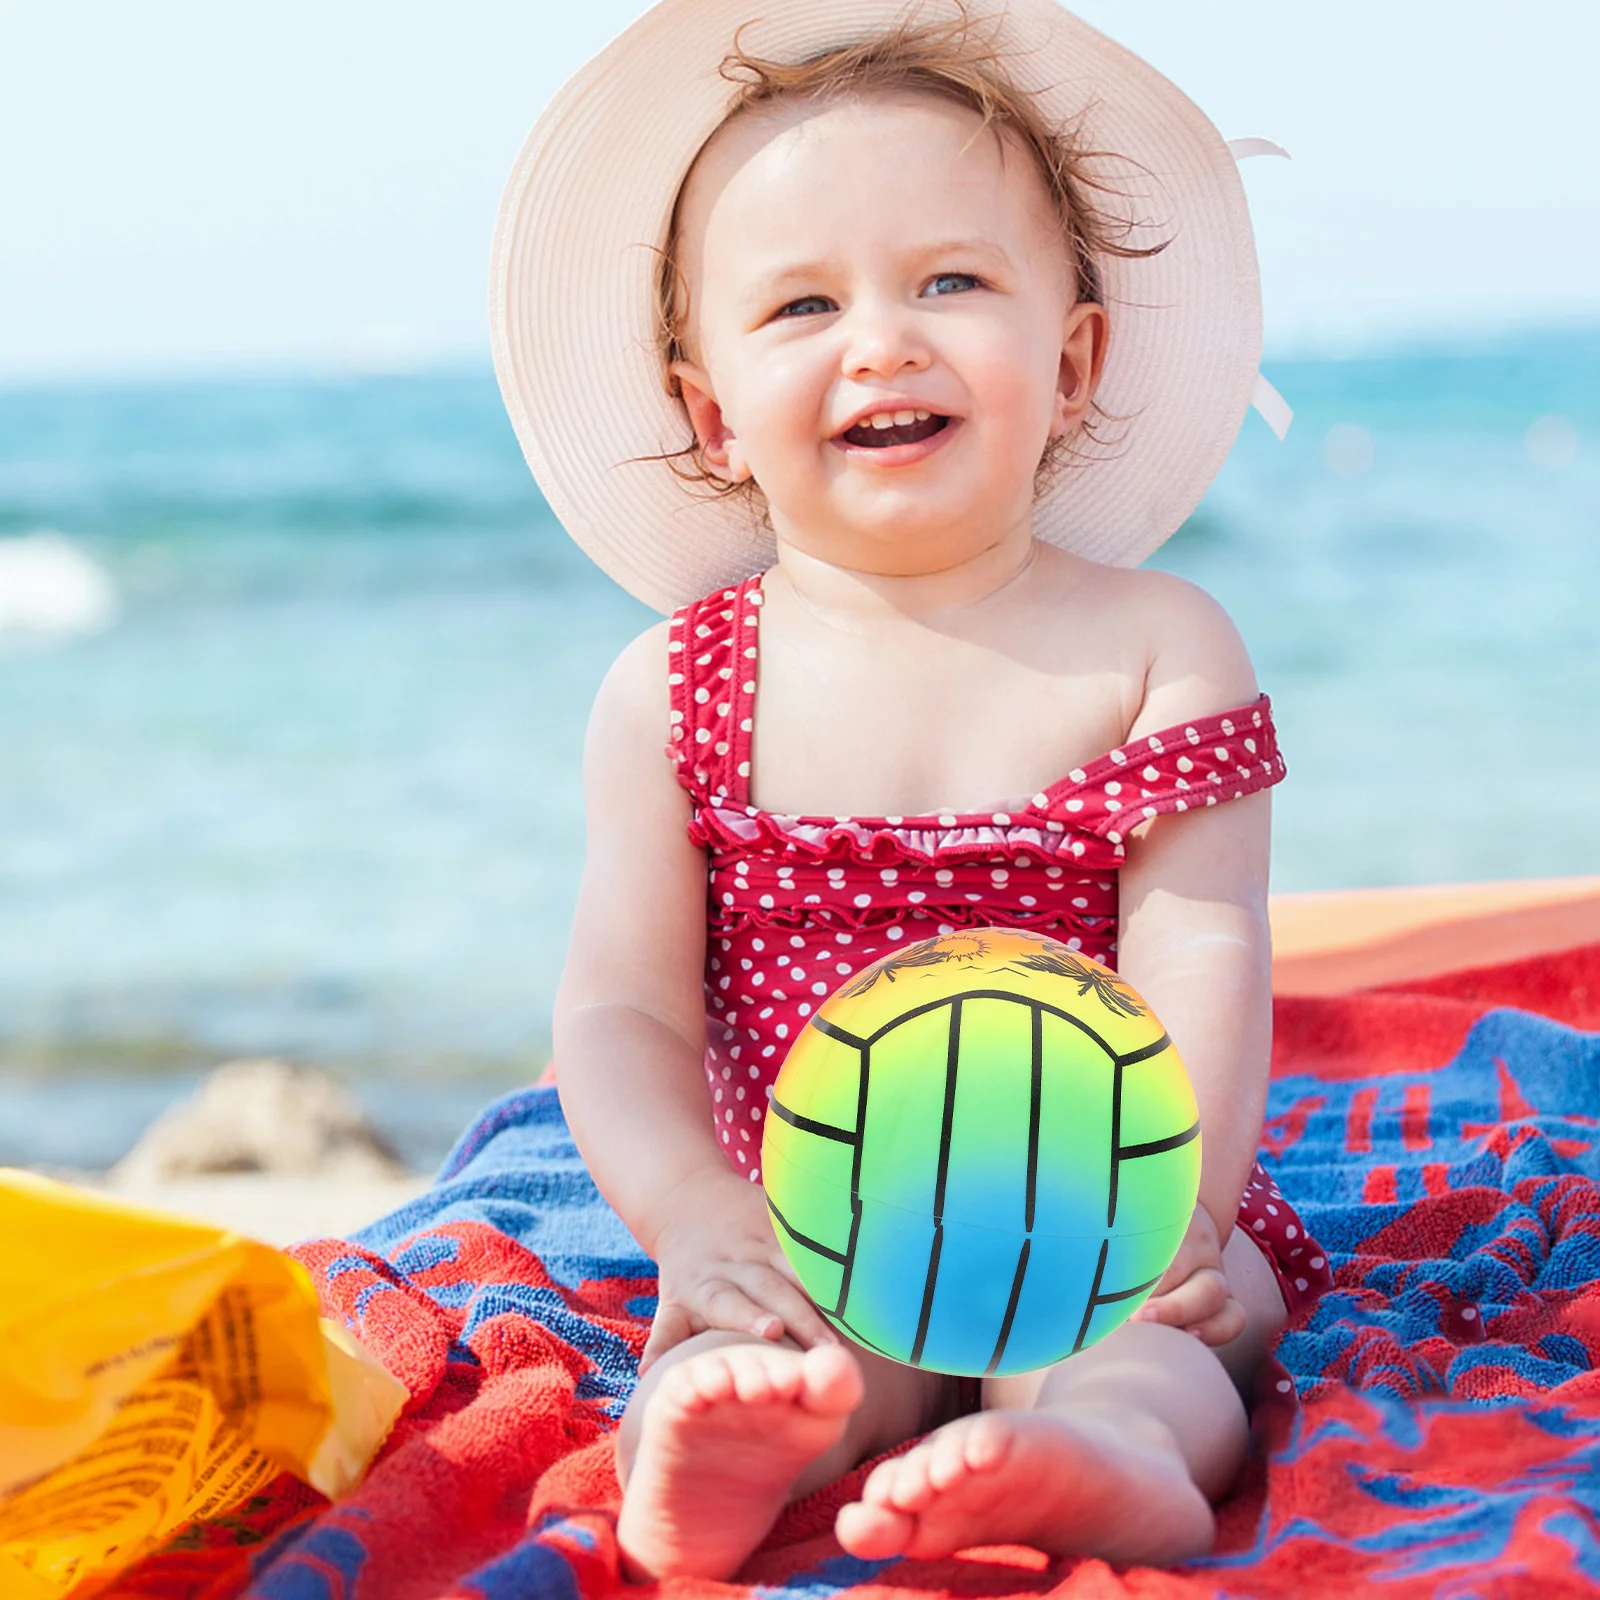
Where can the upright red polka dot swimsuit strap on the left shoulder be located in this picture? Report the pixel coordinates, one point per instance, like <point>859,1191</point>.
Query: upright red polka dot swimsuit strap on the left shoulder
<point>713,655</point>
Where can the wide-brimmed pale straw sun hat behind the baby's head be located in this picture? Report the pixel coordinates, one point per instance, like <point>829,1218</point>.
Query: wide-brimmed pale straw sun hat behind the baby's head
<point>574,284</point>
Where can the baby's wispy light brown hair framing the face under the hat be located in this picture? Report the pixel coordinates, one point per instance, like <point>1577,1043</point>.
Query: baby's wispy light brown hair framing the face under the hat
<point>951,62</point>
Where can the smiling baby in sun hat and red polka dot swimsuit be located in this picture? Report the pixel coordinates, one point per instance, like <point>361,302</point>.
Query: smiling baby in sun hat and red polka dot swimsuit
<point>886,319</point>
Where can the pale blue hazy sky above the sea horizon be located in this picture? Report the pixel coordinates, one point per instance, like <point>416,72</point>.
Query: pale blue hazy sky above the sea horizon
<point>209,186</point>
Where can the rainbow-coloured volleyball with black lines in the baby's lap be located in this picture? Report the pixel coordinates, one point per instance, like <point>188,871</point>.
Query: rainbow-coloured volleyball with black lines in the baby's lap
<point>982,1154</point>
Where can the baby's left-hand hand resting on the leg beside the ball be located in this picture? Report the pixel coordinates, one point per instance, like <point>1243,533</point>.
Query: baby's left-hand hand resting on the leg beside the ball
<point>721,1268</point>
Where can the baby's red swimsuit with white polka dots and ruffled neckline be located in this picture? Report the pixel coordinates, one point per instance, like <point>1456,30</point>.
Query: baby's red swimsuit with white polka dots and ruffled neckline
<point>799,903</point>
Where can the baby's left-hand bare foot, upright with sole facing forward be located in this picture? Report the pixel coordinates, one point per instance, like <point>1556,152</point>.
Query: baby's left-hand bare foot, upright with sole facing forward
<point>721,1446</point>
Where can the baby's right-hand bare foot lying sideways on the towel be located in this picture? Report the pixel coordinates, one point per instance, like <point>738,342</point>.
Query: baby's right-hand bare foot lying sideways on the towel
<point>1066,1484</point>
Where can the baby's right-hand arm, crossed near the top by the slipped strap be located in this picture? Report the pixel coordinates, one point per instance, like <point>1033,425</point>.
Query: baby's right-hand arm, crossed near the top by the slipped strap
<point>1194,942</point>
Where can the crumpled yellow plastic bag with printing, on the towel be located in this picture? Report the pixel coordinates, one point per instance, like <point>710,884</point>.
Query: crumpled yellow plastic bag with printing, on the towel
<point>156,1372</point>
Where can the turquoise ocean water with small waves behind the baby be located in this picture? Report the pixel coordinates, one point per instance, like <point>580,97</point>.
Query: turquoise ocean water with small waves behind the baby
<point>294,679</point>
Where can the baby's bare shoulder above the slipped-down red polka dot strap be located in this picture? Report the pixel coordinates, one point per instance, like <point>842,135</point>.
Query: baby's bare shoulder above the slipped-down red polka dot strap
<point>1196,662</point>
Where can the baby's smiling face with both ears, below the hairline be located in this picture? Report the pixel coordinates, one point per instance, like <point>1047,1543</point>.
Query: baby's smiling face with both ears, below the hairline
<point>882,327</point>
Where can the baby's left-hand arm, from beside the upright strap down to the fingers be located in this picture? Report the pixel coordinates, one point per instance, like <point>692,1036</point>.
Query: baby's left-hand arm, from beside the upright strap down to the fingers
<point>630,1033</point>
